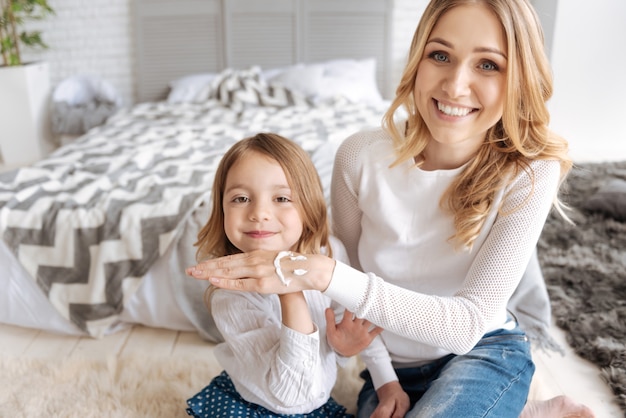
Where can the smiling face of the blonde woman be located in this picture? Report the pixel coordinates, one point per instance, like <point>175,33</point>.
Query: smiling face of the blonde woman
<point>460,82</point>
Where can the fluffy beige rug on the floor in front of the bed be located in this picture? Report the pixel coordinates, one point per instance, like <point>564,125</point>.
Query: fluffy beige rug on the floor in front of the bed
<point>127,387</point>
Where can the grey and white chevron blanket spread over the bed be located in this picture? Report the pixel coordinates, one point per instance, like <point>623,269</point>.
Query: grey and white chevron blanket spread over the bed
<point>89,221</point>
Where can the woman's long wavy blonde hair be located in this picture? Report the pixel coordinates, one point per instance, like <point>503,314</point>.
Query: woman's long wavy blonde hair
<point>521,135</point>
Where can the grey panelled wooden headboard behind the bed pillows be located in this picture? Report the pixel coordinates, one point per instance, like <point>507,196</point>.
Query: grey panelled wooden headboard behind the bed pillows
<point>175,38</point>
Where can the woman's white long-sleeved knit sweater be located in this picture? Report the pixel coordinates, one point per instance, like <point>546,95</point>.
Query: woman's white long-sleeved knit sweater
<point>430,298</point>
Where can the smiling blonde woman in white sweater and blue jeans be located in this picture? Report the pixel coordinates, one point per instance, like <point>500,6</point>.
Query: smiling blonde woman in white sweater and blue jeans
<point>440,213</point>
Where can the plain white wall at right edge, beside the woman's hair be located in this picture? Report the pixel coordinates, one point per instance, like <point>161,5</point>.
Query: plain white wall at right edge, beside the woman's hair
<point>589,64</point>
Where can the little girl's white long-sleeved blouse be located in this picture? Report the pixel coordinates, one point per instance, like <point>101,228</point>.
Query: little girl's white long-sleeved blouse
<point>271,365</point>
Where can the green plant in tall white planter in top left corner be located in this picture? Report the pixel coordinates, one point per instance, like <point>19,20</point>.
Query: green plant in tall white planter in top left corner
<point>25,86</point>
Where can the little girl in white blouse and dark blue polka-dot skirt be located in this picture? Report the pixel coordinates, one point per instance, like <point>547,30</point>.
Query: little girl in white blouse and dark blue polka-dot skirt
<point>267,195</point>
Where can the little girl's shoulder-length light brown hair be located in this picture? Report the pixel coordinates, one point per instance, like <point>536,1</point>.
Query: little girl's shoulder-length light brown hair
<point>306,189</point>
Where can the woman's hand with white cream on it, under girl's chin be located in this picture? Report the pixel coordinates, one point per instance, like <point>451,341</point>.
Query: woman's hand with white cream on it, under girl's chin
<point>255,272</point>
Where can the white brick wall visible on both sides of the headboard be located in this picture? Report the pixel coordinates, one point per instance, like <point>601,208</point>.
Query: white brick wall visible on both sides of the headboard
<point>94,37</point>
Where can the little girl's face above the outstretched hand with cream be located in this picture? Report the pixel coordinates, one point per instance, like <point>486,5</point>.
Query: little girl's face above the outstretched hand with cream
<point>259,212</point>
